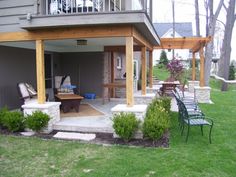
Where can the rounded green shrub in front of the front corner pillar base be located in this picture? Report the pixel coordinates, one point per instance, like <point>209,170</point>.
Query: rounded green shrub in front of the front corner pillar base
<point>125,125</point>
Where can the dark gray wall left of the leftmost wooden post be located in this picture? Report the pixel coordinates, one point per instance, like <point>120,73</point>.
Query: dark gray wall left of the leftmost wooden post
<point>16,65</point>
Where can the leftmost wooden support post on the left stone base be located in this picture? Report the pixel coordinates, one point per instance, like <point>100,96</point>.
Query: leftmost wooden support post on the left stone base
<point>40,71</point>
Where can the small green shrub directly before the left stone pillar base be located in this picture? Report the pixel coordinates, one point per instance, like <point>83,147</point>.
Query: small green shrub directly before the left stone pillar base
<point>37,120</point>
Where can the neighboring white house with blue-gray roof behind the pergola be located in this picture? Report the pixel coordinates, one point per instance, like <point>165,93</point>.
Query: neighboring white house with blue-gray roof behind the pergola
<point>165,30</point>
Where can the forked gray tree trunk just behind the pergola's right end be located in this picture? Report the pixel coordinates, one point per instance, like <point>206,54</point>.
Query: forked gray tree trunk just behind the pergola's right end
<point>210,31</point>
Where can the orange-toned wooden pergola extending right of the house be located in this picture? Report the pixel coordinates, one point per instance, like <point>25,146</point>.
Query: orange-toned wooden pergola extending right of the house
<point>195,44</point>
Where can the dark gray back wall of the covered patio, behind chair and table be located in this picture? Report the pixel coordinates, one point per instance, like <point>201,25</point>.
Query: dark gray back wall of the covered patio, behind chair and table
<point>85,70</point>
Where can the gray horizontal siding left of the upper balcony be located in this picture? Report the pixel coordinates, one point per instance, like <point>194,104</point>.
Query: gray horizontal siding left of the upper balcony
<point>11,10</point>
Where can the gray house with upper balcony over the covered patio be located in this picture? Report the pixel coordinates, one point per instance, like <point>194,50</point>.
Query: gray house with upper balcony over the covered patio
<point>79,38</point>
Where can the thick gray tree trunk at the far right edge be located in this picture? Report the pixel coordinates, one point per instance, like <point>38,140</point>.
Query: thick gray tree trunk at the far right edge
<point>226,46</point>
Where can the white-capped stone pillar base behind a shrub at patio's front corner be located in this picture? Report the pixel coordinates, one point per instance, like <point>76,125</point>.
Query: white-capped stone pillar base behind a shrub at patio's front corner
<point>138,110</point>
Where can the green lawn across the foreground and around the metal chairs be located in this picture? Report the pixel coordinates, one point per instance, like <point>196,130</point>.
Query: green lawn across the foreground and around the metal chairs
<point>21,156</point>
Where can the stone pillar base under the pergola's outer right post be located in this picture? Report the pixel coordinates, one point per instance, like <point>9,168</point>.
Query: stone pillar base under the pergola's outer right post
<point>202,94</point>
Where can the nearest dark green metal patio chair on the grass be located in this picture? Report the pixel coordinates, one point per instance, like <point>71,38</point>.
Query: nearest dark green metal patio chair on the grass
<point>193,120</point>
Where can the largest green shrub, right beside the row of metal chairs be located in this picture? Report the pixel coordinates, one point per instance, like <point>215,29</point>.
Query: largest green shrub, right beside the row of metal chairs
<point>156,121</point>
